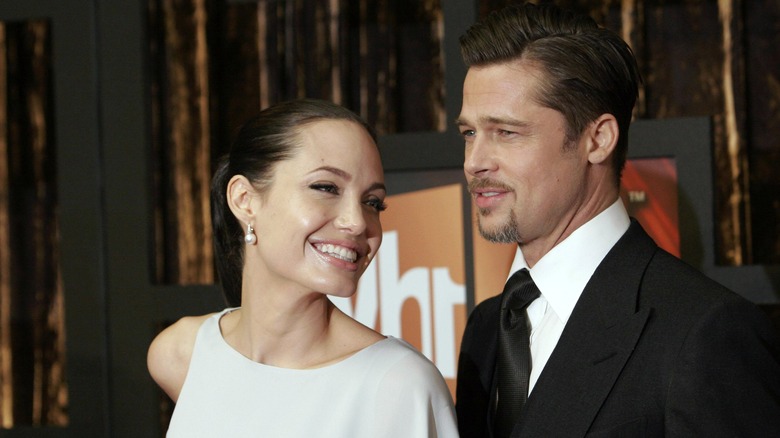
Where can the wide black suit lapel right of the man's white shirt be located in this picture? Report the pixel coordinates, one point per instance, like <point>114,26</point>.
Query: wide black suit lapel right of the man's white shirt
<point>596,343</point>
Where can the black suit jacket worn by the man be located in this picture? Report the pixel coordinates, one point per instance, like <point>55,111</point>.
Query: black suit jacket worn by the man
<point>652,348</point>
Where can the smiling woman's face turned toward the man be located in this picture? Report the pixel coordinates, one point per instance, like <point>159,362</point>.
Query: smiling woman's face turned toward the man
<point>318,222</point>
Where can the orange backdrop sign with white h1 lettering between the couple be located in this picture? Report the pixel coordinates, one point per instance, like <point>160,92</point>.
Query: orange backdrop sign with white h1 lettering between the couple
<point>415,288</point>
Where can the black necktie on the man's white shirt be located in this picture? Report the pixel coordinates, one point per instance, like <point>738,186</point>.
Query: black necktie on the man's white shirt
<point>513,362</point>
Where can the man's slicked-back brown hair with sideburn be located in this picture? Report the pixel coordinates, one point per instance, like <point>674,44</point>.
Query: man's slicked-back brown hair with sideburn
<point>586,71</point>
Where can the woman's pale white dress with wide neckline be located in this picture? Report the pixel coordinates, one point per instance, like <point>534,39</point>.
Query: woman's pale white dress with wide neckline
<point>388,389</point>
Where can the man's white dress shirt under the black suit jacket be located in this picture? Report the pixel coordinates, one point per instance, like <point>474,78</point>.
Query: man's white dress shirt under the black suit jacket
<point>561,276</point>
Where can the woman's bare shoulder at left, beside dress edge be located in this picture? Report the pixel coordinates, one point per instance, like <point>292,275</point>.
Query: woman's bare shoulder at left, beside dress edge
<point>169,354</point>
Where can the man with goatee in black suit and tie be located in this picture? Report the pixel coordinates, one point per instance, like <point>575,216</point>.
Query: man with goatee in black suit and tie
<point>625,339</point>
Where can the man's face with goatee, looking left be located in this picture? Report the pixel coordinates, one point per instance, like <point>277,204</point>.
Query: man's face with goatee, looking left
<point>527,181</point>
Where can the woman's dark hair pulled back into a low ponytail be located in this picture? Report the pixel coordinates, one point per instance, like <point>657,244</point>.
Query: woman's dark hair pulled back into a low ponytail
<point>262,142</point>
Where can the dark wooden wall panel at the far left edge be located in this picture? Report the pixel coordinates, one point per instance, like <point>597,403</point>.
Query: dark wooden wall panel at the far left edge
<point>33,389</point>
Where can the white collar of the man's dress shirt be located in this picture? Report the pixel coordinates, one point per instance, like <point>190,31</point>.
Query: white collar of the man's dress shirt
<point>562,273</point>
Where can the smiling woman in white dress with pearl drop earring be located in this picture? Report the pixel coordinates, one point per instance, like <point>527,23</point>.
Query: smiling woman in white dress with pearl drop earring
<point>295,211</point>
